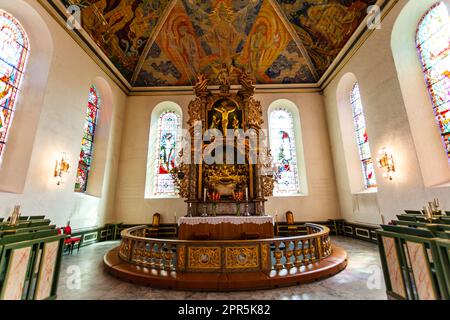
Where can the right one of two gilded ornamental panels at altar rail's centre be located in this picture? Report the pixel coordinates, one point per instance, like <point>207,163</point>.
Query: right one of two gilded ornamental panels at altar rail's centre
<point>241,257</point>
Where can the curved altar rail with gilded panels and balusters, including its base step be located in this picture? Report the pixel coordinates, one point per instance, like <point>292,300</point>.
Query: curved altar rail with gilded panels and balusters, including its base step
<point>225,265</point>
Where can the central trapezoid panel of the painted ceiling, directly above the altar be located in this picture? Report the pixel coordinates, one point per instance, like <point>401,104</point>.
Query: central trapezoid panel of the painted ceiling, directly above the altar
<point>201,37</point>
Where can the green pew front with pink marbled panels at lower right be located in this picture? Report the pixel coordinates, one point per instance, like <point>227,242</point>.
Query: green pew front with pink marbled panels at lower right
<point>411,263</point>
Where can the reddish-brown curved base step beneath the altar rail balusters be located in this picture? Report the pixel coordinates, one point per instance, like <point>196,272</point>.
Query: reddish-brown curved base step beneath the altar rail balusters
<point>207,281</point>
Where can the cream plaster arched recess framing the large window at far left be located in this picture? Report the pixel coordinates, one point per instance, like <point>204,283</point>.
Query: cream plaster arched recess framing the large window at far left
<point>28,106</point>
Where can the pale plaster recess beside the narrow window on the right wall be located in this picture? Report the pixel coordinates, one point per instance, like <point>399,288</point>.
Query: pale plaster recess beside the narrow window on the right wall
<point>356,173</point>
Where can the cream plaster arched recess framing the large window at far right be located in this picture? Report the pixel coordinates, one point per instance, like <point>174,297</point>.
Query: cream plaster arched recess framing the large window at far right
<point>434,164</point>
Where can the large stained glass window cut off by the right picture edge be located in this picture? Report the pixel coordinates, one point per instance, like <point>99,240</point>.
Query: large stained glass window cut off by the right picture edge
<point>433,43</point>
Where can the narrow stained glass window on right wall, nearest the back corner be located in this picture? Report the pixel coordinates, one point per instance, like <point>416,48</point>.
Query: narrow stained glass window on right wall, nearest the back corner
<point>362,139</point>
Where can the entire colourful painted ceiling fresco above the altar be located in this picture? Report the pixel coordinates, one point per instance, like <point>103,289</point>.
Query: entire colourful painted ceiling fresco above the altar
<point>168,42</point>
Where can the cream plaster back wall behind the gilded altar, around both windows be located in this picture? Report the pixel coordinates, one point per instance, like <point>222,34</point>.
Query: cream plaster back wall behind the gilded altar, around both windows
<point>320,203</point>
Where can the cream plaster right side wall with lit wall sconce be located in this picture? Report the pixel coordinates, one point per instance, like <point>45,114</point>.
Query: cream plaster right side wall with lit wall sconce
<point>387,125</point>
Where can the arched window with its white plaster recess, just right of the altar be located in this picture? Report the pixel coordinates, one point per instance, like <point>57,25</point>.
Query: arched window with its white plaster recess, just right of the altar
<point>290,163</point>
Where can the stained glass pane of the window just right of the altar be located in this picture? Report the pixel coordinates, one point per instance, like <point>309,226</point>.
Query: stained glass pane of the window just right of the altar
<point>284,152</point>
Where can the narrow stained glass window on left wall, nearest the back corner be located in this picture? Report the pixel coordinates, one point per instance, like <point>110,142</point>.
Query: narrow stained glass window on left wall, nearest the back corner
<point>87,143</point>
